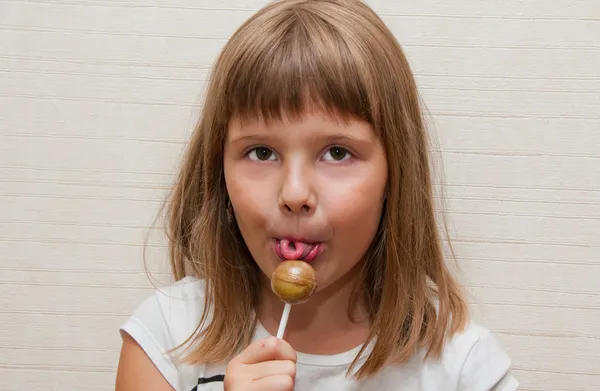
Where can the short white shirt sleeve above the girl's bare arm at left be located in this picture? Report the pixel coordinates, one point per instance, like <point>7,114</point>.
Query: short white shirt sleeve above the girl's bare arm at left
<point>148,327</point>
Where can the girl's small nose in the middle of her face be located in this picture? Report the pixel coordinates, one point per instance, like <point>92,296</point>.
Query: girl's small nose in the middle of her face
<point>297,195</point>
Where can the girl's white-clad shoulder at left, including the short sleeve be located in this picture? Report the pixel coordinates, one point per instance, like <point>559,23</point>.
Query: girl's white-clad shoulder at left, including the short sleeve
<point>164,321</point>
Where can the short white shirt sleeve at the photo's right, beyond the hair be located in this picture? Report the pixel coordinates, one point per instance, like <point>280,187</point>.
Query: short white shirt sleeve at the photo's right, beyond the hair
<point>487,367</point>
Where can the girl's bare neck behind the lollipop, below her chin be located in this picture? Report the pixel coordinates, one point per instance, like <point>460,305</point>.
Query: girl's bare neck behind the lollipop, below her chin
<point>323,324</point>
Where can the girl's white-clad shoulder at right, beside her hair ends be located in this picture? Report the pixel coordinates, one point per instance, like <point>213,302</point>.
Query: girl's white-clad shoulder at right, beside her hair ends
<point>477,360</point>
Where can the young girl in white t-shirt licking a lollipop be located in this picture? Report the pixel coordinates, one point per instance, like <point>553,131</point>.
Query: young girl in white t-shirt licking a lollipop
<point>311,146</point>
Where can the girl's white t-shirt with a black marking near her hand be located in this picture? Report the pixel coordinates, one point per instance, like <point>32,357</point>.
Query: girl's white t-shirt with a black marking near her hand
<point>471,361</point>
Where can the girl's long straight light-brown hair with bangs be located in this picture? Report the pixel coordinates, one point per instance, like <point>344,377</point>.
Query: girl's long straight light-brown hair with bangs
<point>337,55</point>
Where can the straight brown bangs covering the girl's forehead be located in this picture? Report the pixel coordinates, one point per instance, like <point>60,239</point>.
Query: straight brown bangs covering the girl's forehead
<point>295,64</point>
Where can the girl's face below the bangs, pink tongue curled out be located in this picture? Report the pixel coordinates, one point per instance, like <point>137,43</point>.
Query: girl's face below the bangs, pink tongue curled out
<point>311,189</point>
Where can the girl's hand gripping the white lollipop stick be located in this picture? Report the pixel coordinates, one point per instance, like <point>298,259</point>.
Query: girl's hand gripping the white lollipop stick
<point>268,364</point>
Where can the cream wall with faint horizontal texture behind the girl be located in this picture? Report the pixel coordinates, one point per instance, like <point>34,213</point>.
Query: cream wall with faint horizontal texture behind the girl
<point>98,96</point>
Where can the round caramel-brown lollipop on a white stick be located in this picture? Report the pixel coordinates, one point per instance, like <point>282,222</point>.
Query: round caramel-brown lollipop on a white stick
<point>293,282</point>
